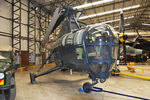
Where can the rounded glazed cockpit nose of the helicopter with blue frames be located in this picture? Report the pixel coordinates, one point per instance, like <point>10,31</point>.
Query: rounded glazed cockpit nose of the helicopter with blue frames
<point>101,47</point>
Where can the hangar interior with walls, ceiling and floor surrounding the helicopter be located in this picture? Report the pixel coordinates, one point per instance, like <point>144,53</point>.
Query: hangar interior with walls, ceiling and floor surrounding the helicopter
<point>23,27</point>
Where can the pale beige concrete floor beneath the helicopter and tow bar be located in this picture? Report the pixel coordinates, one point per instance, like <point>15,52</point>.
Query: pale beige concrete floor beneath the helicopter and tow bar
<point>63,86</point>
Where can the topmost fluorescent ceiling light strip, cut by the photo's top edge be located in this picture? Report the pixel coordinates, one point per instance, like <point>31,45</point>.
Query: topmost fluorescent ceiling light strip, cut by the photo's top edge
<point>92,4</point>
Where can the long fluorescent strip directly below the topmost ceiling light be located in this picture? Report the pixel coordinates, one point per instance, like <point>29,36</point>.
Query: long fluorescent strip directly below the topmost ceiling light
<point>109,12</point>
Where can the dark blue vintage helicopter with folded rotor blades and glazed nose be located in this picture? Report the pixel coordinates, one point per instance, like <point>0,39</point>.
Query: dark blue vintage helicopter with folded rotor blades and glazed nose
<point>92,49</point>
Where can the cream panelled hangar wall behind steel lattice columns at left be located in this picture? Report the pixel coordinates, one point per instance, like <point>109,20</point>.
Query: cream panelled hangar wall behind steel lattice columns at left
<point>32,34</point>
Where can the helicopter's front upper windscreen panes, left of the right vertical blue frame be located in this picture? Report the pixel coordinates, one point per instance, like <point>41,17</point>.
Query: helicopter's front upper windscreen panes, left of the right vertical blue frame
<point>97,43</point>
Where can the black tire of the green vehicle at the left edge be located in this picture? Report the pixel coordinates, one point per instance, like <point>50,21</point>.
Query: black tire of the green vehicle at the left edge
<point>11,93</point>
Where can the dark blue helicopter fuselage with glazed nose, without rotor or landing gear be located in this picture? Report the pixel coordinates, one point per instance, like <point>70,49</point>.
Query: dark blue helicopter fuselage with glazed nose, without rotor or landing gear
<point>92,49</point>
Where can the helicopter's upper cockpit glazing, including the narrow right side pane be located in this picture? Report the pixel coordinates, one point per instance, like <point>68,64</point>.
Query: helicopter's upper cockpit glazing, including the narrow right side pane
<point>99,41</point>
